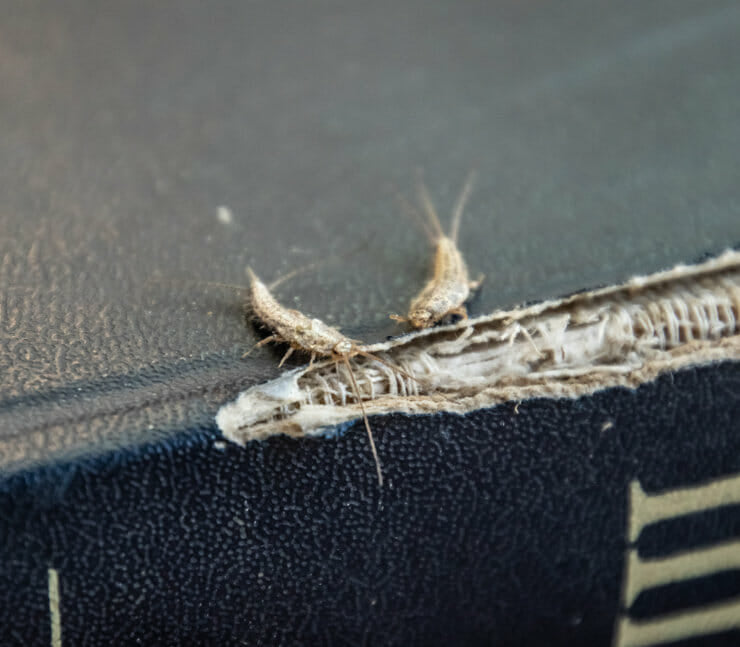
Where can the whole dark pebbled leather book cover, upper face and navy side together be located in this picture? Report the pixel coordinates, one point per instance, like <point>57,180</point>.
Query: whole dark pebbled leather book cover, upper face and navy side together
<point>605,139</point>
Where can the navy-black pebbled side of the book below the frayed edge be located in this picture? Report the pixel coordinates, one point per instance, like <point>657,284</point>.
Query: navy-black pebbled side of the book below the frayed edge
<point>494,529</point>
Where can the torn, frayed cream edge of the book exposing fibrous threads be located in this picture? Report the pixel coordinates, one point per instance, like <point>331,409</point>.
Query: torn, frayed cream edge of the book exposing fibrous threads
<point>621,335</point>
